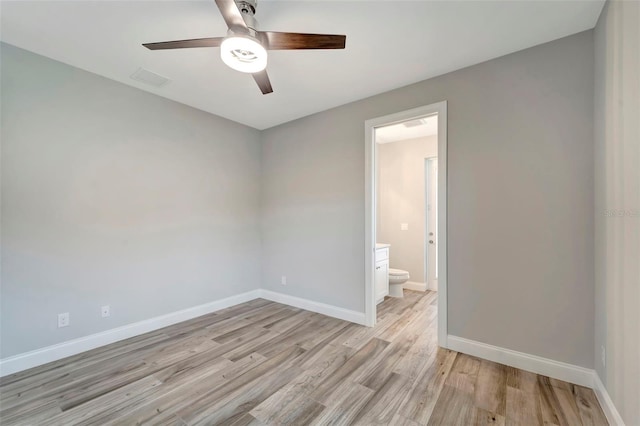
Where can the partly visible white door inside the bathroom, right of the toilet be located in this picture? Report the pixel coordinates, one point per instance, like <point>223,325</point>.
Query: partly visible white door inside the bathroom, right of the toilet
<point>432,223</point>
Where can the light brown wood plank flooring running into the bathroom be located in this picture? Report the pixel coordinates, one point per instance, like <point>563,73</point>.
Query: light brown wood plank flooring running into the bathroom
<point>263,363</point>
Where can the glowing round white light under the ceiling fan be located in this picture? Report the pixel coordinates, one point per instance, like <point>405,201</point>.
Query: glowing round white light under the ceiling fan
<point>243,53</point>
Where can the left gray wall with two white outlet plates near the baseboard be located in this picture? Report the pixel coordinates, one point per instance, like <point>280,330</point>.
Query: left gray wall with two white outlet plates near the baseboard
<point>111,195</point>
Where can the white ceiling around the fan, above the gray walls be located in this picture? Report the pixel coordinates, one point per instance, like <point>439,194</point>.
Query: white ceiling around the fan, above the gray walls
<point>389,44</point>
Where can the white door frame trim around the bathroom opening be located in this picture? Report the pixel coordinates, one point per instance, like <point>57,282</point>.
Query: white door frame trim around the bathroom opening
<point>439,108</point>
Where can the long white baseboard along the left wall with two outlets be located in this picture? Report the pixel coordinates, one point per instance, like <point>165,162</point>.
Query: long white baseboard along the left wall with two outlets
<point>58,351</point>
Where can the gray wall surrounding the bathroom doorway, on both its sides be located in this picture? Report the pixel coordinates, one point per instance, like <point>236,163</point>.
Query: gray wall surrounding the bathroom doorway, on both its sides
<point>520,199</point>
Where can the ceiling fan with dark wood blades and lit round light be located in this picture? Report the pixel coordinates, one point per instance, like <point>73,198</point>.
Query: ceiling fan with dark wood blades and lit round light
<point>245,48</point>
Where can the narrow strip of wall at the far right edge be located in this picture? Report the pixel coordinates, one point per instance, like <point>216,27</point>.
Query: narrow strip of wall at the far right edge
<point>617,204</point>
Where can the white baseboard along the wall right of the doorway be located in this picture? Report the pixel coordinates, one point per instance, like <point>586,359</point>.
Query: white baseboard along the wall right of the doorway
<point>535,364</point>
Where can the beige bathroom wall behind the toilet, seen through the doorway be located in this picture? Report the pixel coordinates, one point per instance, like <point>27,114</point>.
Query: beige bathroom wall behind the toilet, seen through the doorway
<point>401,199</point>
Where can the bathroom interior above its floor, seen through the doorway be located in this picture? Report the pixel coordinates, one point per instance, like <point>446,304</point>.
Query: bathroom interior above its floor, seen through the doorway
<point>406,208</point>
